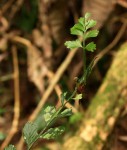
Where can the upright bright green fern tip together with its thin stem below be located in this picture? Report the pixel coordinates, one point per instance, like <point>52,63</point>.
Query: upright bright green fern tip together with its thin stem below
<point>83,30</point>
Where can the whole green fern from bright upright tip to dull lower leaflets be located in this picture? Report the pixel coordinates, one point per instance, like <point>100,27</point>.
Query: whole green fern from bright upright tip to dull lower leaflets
<point>31,132</point>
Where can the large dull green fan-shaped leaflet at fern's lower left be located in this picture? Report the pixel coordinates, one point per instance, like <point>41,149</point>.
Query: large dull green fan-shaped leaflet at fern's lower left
<point>30,134</point>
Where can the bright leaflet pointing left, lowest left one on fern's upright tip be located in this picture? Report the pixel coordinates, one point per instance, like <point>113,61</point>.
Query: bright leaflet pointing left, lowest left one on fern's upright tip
<point>73,44</point>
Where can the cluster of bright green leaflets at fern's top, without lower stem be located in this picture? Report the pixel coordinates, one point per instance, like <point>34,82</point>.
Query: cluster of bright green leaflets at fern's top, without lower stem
<point>82,29</point>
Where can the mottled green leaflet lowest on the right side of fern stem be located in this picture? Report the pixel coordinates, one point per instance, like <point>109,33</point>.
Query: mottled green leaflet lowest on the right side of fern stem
<point>53,133</point>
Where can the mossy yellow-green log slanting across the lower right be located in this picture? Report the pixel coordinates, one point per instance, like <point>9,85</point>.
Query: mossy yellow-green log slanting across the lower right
<point>104,109</point>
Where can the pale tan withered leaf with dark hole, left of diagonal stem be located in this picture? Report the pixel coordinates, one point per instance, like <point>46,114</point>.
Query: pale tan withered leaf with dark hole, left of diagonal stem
<point>36,67</point>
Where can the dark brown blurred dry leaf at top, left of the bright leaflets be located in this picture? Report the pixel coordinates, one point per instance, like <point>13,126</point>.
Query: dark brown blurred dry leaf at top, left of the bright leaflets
<point>57,16</point>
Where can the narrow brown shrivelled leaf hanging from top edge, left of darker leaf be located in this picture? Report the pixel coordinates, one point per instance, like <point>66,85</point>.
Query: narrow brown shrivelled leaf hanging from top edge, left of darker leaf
<point>44,34</point>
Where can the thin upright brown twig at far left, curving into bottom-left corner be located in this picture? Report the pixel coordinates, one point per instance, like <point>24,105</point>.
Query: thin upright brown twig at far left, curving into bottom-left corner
<point>15,122</point>
